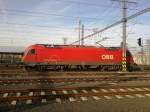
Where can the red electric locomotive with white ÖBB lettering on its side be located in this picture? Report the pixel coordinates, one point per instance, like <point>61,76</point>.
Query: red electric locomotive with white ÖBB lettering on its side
<point>83,57</point>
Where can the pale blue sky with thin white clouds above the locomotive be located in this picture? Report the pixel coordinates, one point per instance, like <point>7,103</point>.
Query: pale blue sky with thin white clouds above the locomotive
<point>26,22</point>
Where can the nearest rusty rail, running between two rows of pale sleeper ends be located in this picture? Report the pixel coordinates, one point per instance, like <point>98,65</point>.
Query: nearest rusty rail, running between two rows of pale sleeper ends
<point>67,96</point>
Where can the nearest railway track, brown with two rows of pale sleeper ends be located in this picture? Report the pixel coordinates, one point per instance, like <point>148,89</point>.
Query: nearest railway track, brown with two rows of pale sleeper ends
<point>71,94</point>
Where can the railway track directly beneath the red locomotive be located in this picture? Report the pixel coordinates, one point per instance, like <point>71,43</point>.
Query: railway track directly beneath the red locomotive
<point>17,73</point>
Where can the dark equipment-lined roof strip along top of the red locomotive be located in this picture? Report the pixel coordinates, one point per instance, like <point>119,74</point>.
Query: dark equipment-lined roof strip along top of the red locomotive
<point>51,45</point>
